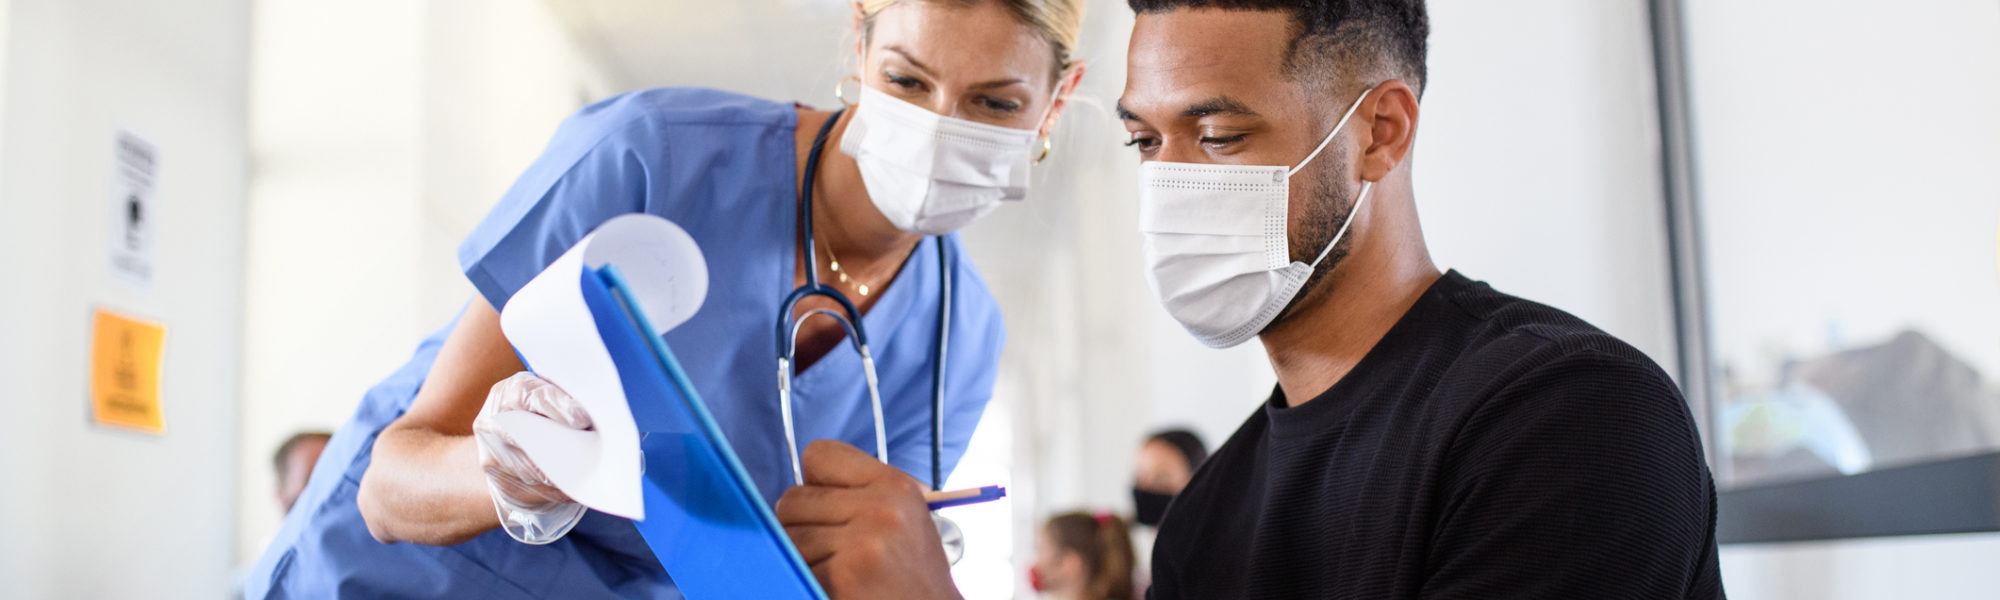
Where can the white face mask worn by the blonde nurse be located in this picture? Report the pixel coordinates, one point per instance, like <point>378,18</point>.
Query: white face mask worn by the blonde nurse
<point>931,173</point>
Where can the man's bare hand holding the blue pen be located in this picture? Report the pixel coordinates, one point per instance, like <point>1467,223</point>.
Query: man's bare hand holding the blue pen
<point>865,527</point>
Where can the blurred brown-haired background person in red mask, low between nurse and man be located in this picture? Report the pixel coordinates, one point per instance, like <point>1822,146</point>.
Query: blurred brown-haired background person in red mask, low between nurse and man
<point>1083,557</point>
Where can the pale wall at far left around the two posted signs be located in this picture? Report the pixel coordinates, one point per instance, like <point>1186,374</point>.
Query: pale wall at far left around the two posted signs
<point>93,513</point>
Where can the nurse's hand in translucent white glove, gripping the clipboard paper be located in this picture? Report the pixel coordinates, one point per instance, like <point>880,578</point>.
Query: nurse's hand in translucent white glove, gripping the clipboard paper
<point>531,509</point>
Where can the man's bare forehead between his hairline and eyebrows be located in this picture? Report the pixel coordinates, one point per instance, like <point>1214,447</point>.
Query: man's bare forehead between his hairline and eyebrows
<point>1185,57</point>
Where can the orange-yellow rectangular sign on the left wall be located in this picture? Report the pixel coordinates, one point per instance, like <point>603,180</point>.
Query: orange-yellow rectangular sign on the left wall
<point>125,371</point>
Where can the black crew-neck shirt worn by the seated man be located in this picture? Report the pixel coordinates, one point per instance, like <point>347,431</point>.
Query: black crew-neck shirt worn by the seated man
<point>1487,447</point>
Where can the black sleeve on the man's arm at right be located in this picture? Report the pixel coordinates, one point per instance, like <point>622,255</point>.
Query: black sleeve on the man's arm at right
<point>1581,479</point>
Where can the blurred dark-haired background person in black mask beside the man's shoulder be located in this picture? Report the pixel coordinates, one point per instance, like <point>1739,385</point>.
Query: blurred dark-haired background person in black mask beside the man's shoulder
<point>1165,465</point>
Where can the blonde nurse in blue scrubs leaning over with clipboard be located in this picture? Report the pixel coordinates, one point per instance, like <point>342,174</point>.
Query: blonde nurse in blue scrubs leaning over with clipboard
<point>411,495</point>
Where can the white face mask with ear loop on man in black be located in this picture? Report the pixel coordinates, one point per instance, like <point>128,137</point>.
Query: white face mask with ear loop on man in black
<point>1217,249</point>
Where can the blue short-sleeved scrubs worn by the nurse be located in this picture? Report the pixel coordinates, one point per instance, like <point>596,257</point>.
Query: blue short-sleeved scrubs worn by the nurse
<point>721,167</point>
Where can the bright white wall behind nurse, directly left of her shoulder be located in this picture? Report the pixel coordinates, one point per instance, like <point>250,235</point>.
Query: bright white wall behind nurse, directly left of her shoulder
<point>383,131</point>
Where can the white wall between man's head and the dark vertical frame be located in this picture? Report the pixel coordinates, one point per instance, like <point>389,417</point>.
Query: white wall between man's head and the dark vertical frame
<point>1539,159</point>
